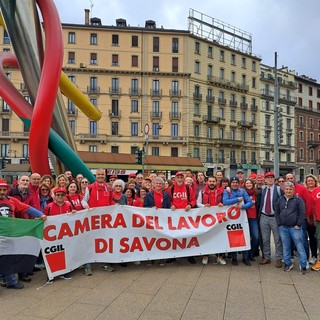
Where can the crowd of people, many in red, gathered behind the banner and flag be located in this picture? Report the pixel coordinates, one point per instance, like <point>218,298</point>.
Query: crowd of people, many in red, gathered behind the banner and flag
<point>277,205</point>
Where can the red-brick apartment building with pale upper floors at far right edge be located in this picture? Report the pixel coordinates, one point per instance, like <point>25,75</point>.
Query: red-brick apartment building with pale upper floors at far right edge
<point>308,126</point>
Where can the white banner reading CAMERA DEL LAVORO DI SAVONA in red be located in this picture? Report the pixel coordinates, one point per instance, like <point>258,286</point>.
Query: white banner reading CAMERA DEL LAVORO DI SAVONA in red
<point>123,233</point>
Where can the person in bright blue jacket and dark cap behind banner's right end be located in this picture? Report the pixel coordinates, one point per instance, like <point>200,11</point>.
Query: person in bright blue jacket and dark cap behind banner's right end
<point>239,197</point>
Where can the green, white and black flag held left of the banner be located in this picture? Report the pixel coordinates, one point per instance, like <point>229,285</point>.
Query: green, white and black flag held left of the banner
<point>19,244</point>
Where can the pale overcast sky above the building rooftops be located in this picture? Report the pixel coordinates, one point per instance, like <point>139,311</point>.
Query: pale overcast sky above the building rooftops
<point>289,27</point>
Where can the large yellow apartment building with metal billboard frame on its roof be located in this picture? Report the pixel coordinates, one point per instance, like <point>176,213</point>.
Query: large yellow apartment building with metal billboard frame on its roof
<point>199,96</point>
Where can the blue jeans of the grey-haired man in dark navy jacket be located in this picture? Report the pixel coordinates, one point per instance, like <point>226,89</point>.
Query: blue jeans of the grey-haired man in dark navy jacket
<point>290,233</point>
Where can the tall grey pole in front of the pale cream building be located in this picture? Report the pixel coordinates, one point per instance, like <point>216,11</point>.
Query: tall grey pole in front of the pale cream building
<point>276,117</point>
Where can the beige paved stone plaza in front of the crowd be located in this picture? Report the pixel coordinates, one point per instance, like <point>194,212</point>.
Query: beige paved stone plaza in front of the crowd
<point>177,291</point>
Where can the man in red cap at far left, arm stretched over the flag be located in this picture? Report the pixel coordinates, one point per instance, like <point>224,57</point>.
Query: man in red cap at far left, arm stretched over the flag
<point>11,207</point>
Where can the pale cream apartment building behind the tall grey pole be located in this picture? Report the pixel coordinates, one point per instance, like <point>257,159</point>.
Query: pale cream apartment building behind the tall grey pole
<point>286,125</point>
